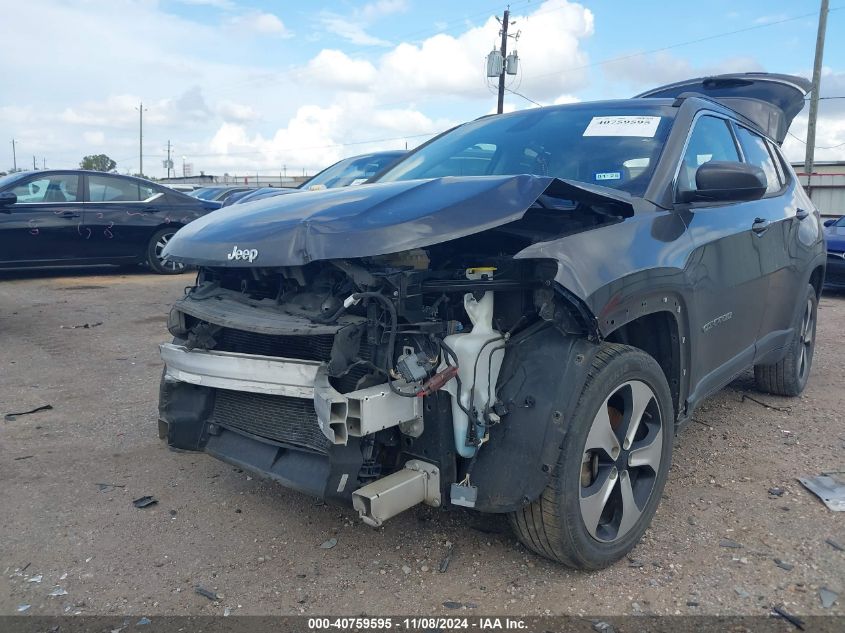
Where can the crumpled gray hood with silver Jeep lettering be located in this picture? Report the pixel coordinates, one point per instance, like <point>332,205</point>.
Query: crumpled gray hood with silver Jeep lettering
<point>366,220</point>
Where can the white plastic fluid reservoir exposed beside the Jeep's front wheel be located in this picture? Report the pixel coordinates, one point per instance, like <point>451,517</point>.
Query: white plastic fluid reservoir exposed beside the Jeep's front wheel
<point>480,355</point>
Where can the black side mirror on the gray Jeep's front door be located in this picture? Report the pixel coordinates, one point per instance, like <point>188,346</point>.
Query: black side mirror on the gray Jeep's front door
<point>726,181</point>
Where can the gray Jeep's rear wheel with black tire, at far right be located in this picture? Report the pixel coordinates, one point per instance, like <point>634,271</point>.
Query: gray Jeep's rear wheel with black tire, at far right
<point>789,376</point>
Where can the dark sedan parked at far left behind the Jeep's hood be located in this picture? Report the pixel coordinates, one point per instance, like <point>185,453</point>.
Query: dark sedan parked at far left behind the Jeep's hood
<point>75,217</point>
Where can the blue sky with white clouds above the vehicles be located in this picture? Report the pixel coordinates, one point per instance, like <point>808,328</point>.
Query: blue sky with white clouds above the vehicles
<point>258,86</point>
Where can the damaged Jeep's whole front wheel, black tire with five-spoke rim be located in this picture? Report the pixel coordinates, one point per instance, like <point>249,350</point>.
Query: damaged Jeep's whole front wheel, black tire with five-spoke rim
<point>555,525</point>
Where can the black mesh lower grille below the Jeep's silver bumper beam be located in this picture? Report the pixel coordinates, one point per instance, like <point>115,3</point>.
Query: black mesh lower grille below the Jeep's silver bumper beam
<point>278,418</point>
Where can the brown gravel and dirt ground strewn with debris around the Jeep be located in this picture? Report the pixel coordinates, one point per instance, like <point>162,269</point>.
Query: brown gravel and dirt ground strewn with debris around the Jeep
<point>258,545</point>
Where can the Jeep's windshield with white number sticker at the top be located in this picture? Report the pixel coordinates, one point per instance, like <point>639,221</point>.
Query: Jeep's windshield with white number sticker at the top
<point>612,144</point>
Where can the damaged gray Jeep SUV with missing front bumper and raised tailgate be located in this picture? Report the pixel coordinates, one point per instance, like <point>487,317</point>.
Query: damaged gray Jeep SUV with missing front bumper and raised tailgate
<point>517,317</point>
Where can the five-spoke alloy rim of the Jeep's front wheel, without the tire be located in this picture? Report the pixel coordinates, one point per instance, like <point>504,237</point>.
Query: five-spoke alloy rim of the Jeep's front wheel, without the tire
<point>621,460</point>
